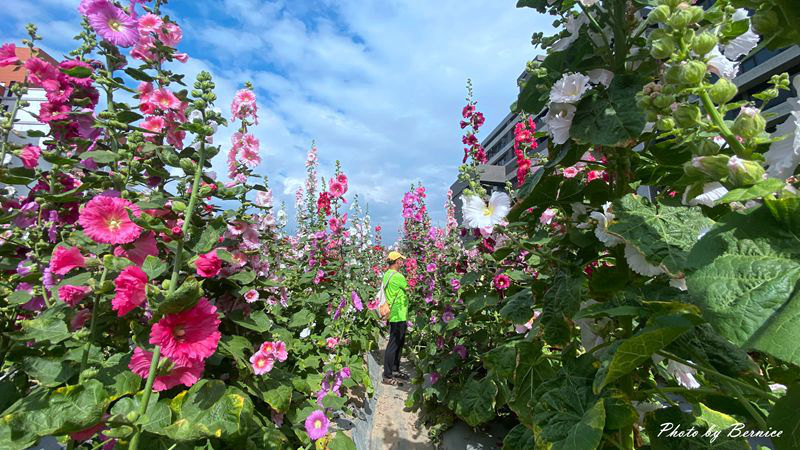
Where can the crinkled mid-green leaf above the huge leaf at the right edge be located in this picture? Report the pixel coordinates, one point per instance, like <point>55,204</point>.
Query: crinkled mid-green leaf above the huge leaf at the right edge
<point>664,234</point>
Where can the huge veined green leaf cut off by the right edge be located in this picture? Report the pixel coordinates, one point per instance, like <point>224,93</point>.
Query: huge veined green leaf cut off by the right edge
<point>746,276</point>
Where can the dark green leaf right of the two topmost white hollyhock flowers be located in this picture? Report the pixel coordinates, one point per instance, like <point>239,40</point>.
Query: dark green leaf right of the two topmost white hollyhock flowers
<point>610,117</point>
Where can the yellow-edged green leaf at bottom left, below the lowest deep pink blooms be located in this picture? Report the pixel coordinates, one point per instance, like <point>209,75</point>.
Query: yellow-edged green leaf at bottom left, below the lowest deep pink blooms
<point>208,410</point>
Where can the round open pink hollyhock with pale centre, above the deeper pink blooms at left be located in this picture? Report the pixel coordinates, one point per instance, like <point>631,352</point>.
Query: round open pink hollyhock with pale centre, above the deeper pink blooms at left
<point>105,219</point>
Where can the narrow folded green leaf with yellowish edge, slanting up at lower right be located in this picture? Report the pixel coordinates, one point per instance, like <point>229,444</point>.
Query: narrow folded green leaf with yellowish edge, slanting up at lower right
<point>640,347</point>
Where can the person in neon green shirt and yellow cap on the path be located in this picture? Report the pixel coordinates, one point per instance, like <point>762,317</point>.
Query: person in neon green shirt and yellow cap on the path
<point>395,288</point>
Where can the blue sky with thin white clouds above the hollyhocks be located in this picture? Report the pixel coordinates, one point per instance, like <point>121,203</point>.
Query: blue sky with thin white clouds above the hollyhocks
<point>378,84</point>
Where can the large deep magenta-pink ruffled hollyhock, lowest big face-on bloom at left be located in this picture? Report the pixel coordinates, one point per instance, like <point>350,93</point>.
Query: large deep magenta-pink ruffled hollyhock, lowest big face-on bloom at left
<point>189,335</point>
